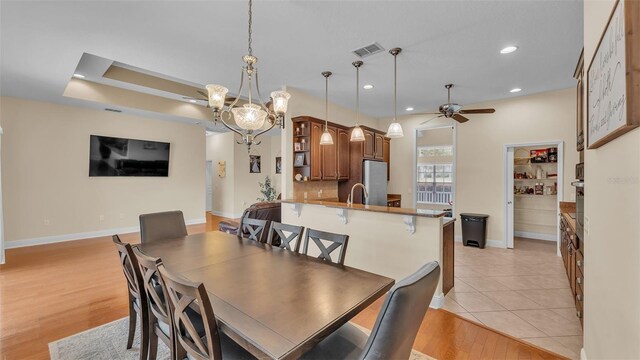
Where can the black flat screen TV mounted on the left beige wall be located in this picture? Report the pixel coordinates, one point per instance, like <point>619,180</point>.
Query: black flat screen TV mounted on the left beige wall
<point>109,156</point>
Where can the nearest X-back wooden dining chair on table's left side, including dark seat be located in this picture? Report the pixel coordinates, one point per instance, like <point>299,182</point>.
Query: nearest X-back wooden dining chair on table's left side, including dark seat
<point>193,341</point>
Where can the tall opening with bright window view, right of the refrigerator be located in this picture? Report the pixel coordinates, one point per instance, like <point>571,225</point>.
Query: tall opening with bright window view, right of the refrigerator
<point>435,168</point>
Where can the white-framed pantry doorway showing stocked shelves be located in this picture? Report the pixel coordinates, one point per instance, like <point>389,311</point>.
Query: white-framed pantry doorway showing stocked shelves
<point>534,186</point>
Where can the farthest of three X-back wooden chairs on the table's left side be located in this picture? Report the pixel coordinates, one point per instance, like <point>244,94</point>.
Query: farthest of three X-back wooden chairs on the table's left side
<point>138,306</point>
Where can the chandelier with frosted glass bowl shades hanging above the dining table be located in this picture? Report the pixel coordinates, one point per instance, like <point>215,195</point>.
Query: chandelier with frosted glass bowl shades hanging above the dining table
<point>251,116</point>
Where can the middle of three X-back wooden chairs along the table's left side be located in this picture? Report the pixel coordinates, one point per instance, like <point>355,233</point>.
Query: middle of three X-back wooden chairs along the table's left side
<point>159,320</point>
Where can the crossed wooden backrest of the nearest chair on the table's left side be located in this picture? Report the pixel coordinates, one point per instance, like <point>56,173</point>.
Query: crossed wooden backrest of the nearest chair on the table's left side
<point>183,294</point>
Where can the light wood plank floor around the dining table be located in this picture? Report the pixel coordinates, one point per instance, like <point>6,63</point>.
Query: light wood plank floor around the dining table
<point>52,291</point>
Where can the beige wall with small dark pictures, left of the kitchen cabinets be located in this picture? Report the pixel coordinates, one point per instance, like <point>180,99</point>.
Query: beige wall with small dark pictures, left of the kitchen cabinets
<point>239,188</point>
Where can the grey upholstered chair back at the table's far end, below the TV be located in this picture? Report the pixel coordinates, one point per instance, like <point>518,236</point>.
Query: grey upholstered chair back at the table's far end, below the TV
<point>162,225</point>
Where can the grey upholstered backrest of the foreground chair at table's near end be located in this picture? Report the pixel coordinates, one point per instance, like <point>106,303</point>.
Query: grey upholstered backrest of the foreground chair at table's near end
<point>401,315</point>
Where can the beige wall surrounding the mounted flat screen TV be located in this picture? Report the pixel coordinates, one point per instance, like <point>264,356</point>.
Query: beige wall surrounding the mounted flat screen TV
<point>45,160</point>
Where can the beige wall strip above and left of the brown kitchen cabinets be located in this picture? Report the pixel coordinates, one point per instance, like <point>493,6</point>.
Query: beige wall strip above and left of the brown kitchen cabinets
<point>304,104</point>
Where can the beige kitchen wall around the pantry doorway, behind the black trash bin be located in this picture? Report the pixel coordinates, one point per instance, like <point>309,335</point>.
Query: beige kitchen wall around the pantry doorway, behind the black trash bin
<point>480,150</point>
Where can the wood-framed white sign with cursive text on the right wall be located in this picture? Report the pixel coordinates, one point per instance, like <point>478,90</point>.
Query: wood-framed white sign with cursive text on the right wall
<point>613,77</point>
